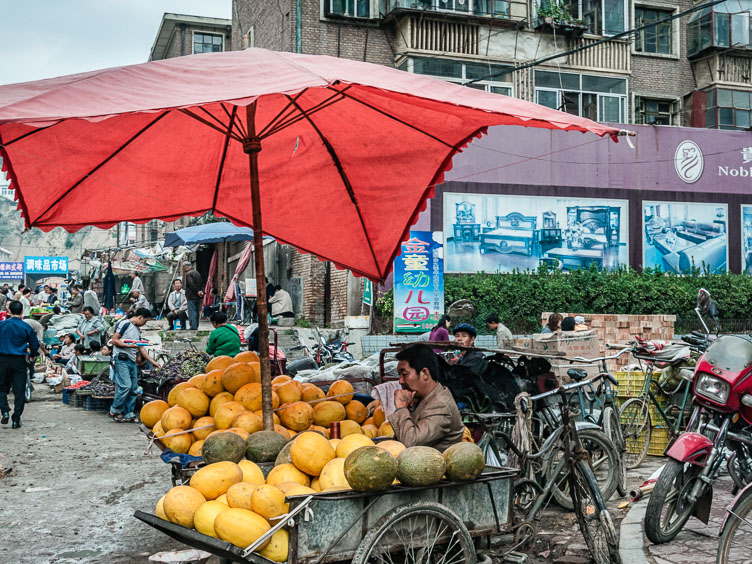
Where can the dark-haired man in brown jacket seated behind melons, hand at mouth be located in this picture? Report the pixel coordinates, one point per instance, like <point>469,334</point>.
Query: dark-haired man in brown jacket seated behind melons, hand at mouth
<point>435,420</point>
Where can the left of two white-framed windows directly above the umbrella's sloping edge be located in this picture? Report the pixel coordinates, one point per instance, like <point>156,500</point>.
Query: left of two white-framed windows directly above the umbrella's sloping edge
<point>460,72</point>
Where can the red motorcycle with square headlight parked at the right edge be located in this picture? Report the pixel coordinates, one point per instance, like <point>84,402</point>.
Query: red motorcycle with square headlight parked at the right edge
<point>718,431</point>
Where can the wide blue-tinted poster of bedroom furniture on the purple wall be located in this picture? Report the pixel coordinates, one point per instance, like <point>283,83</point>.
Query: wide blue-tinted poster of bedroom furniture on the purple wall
<point>501,233</point>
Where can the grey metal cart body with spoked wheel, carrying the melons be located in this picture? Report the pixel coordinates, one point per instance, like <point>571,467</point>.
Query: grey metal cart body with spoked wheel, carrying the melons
<point>359,527</point>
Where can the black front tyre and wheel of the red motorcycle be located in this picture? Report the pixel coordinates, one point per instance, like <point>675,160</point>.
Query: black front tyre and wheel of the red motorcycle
<point>668,509</point>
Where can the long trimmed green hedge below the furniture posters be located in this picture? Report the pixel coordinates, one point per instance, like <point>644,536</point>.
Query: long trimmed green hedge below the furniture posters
<point>518,298</point>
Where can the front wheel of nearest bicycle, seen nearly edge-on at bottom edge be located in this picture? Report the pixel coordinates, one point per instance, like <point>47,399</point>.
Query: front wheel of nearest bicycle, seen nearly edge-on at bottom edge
<point>592,515</point>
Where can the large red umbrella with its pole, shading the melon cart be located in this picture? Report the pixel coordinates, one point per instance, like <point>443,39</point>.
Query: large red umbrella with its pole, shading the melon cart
<point>342,154</point>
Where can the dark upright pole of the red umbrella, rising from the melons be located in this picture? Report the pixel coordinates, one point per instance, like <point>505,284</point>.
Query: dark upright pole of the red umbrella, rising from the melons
<point>252,146</point>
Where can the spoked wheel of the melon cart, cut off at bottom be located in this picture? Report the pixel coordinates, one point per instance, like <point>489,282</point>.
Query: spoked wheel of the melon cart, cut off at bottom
<point>417,532</point>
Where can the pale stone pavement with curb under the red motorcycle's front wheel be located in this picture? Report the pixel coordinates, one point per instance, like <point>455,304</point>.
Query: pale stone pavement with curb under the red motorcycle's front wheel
<point>696,543</point>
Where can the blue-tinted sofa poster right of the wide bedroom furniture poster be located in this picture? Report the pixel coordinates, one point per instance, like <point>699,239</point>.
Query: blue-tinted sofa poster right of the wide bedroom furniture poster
<point>679,236</point>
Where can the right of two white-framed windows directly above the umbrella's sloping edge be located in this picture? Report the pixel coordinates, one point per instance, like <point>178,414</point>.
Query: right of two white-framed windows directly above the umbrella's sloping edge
<point>600,98</point>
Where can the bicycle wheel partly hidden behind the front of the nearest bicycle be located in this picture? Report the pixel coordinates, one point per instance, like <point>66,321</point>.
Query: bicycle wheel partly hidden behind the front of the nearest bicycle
<point>604,464</point>
